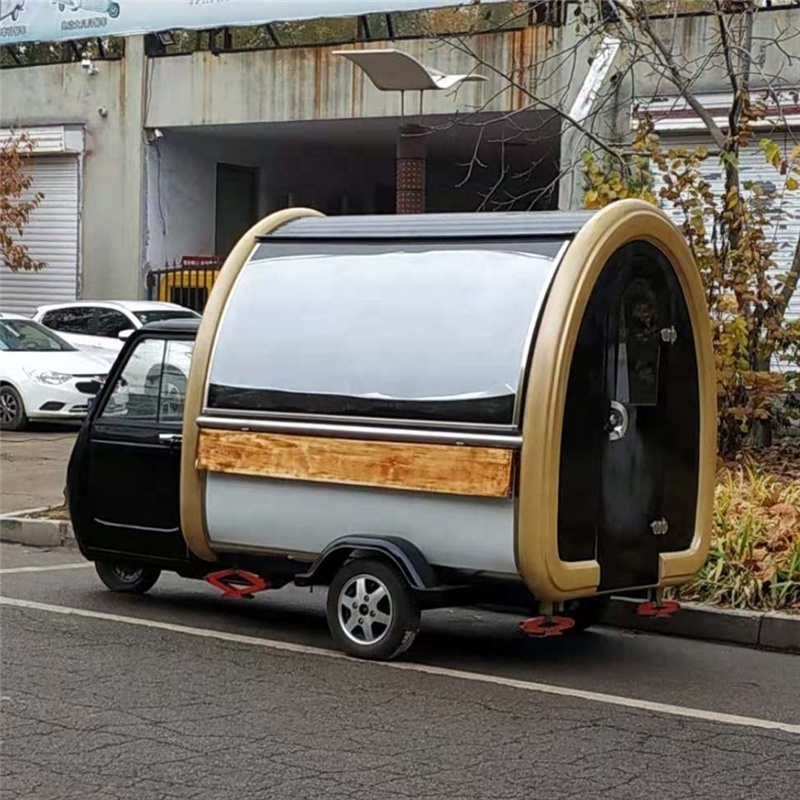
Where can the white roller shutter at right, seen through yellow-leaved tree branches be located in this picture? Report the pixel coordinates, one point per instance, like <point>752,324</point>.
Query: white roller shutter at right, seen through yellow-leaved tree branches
<point>753,167</point>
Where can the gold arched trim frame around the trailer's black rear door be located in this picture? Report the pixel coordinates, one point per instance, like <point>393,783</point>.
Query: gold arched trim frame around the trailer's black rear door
<point>546,575</point>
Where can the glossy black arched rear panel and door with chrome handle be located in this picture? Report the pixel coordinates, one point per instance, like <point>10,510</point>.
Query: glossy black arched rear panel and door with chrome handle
<point>629,460</point>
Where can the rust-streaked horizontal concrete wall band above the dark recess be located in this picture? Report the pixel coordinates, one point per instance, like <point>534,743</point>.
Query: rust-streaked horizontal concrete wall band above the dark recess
<point>312,83</point>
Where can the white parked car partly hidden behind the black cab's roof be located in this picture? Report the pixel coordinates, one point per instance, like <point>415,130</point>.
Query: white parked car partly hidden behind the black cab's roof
<point>102,326</point>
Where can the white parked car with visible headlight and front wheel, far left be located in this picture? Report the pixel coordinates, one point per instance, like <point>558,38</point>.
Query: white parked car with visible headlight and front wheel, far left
<point>42,376</point>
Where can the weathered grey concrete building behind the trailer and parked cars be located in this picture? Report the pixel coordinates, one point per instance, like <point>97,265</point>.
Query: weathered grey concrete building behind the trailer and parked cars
<point>156,155</point>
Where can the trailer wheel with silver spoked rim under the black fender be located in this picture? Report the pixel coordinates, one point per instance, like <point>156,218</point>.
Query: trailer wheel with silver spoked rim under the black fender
<point>376,640</point>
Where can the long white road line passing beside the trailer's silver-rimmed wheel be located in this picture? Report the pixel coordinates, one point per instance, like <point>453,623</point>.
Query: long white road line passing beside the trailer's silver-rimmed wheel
<point>444,672</point>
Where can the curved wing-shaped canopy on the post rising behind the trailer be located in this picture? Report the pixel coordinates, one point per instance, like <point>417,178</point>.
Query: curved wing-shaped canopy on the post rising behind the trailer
<point>396,71</point>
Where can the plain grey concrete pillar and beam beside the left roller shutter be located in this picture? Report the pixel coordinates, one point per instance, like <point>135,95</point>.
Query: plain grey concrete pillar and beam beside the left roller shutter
<point>113,166</point>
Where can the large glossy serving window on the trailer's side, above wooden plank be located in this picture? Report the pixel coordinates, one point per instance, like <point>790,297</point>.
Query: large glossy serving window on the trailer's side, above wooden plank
<point>439,335</point>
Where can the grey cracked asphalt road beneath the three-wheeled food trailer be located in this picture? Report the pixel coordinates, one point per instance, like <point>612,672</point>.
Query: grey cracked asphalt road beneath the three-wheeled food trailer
<point>182,694</point>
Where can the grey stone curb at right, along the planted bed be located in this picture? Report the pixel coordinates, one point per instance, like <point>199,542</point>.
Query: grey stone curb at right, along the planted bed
<point>766,629</point>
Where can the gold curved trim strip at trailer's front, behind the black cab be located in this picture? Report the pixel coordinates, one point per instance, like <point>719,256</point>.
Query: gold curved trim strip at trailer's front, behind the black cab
<point>192,480</point>
